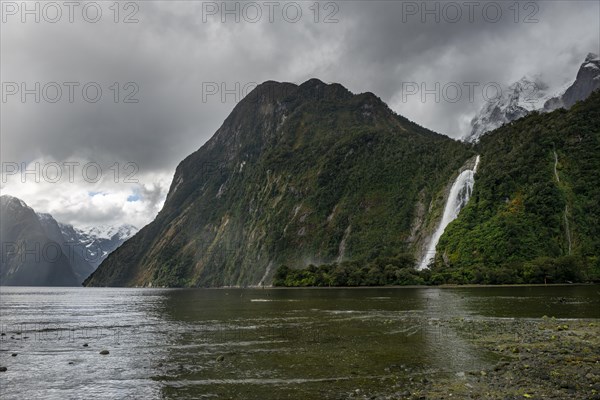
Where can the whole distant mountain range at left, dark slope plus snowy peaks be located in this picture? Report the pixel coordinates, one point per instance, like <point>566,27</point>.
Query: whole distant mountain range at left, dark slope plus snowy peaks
<point>37,250</point>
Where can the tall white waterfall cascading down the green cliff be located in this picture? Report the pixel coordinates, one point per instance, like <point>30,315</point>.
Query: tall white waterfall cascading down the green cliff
<point>459,196</point>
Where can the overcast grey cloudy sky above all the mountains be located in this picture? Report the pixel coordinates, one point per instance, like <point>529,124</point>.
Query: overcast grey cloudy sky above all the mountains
<point>171,60</point>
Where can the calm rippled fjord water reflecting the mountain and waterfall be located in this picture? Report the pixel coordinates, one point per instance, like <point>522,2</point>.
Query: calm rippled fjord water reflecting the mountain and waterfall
<point>251,343</point>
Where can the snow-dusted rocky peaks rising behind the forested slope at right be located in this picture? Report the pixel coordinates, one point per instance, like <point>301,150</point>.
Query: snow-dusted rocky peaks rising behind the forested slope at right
<point>532,94</point>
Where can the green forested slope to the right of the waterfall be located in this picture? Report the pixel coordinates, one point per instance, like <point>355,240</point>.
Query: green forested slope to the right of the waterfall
<point>535,209</point>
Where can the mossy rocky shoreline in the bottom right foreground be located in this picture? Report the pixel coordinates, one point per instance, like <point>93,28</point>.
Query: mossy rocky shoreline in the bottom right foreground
<point>542,358</point>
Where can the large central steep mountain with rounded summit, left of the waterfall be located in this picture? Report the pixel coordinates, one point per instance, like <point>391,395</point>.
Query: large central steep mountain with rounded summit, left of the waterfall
<point>295,175</point>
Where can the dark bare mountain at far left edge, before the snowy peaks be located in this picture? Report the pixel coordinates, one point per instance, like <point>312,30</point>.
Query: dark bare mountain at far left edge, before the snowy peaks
<point>29,256</point>
